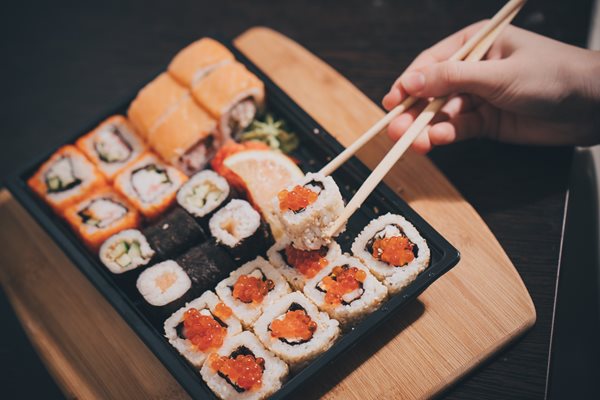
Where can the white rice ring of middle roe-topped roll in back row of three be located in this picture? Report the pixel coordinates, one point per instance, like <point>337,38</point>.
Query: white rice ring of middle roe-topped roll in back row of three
<point>247,313</point>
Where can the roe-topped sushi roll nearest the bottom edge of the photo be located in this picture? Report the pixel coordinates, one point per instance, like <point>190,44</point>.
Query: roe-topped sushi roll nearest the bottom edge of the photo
<point>242,369</point>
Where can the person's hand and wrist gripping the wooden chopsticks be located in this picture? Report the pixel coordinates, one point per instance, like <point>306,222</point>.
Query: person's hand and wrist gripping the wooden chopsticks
<point>529,89</point>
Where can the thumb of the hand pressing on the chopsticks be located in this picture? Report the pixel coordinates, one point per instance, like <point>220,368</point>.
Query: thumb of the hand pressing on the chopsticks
<point>486,79</point>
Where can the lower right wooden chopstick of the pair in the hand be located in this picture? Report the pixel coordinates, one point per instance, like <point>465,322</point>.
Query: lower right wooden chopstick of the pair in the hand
<point>475,50</point>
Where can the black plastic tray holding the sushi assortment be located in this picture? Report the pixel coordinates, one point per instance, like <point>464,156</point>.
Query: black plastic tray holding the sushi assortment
<point>317,147</point>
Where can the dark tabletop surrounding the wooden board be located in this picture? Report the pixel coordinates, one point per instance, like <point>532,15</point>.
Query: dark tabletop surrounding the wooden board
<point>64,63</point>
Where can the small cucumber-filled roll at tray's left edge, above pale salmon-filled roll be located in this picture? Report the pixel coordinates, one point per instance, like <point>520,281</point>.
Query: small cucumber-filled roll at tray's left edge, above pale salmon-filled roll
<point>125,251</point>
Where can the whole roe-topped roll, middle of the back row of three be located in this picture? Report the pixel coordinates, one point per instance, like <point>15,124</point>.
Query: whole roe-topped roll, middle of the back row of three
<point>250,287</point>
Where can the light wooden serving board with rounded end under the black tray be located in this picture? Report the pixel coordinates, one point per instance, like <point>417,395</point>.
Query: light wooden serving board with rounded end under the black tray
<point>462,319</point>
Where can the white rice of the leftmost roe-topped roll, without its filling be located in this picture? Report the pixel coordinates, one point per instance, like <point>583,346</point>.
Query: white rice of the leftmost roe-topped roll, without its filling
<point>205,304</point>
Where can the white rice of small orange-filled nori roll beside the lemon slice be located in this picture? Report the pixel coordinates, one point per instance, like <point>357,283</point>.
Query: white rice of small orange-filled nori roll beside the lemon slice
<point>234,222</point>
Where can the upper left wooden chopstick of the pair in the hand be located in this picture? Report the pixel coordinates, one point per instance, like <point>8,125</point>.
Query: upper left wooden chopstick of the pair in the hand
<point>506,13</point>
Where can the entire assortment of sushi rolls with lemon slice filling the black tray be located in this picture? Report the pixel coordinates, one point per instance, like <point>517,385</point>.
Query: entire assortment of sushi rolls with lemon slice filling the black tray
<point>179,198</point>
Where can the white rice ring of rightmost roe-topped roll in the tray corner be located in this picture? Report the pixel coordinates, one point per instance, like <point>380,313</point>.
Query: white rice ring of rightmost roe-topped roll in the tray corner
<point>395,278</point>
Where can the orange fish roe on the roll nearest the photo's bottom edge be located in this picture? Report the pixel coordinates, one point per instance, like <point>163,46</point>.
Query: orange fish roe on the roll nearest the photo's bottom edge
<point>244,371</point>
